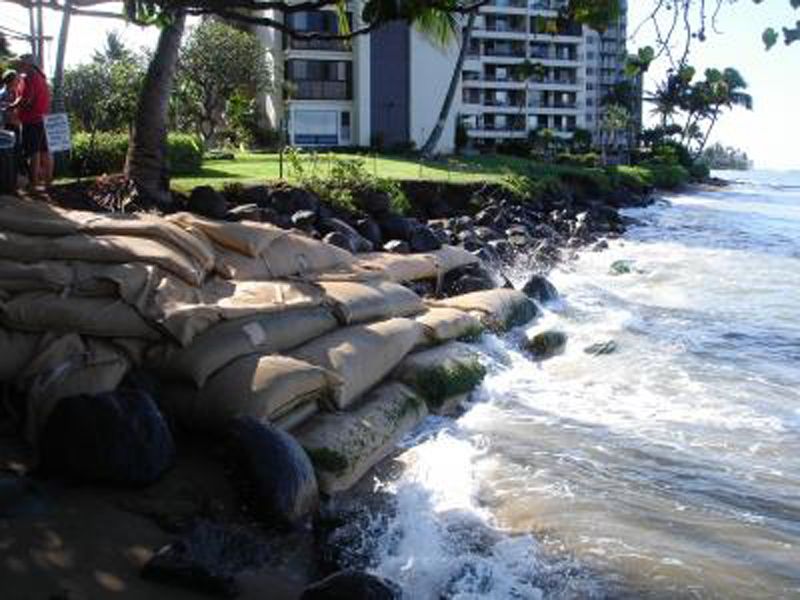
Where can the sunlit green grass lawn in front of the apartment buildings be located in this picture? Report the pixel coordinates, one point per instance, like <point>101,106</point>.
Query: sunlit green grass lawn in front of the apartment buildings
<point>250,168</point>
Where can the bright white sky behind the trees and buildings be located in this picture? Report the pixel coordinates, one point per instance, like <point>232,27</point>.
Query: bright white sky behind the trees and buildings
<point>768,133</point>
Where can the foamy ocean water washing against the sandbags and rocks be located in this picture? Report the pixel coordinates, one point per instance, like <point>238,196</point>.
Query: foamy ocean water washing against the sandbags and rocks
<point>668,469</point>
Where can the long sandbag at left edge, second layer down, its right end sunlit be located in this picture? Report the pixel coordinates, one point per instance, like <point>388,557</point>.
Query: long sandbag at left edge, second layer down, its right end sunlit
<point>101,249</point>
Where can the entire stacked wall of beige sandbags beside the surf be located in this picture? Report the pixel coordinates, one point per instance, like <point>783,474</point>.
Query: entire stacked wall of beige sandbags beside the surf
<point>236,319</point>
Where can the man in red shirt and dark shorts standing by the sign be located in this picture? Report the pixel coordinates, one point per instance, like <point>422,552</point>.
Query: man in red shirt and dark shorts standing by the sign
<point>32,105</point>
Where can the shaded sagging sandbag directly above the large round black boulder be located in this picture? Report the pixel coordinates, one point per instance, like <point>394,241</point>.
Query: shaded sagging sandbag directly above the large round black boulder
<point>69,366</point>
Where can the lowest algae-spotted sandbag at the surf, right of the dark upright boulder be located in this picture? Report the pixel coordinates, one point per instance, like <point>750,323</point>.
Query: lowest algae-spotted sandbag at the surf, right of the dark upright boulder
<point>344,446</point>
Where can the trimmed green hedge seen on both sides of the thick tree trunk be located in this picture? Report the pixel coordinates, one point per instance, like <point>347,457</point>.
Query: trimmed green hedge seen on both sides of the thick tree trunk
<point>105,154</point>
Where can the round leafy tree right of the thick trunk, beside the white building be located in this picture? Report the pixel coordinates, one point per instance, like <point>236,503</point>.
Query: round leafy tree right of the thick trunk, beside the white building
<point>221,69</point>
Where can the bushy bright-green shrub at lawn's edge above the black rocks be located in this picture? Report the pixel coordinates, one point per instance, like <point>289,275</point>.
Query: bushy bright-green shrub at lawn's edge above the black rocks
<point>340,181</point>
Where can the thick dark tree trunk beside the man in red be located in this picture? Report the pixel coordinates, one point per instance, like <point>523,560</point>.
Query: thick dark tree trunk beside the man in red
<point>146,164</point>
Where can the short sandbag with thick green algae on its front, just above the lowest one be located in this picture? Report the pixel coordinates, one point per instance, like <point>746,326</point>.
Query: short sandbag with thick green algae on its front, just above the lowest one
<point>442,373</point>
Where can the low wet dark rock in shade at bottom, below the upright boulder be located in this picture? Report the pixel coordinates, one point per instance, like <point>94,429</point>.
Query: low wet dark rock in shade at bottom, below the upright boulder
<point>208,559</point>
